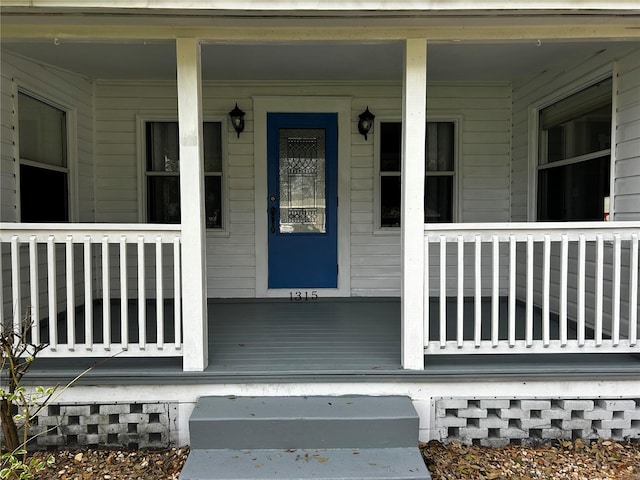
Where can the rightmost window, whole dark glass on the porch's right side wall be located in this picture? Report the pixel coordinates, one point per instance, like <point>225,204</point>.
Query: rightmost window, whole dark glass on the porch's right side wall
<point>575,156</point>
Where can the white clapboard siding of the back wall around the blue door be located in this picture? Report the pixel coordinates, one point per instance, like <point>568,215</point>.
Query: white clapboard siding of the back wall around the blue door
<point>483,162</point>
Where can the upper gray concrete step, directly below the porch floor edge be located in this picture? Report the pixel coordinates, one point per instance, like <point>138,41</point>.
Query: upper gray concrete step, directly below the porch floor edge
<point>303,422</point>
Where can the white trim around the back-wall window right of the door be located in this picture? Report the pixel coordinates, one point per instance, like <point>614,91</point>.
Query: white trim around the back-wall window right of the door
<point>457,120</point>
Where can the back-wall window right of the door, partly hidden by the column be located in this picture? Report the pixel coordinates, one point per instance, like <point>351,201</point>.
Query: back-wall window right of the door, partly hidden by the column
<point>439,175</point>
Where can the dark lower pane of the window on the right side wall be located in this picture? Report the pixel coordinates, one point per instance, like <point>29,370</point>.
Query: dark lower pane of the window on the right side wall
<point>574,192</point>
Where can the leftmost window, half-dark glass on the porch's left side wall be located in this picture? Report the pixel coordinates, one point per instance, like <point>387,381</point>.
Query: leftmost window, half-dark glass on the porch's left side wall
<point>44,173</point>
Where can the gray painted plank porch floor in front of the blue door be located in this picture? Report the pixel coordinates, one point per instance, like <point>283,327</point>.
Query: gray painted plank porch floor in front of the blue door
<point>258,340</point>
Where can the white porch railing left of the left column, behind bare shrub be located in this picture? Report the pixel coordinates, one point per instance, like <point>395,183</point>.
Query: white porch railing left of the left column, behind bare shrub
<point>94,289</point>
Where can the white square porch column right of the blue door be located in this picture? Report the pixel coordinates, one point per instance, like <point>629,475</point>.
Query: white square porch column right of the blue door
<point>414,118</point>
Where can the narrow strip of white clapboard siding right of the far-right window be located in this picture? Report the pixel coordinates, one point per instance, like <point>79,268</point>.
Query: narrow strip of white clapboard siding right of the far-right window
<point>627,121</point>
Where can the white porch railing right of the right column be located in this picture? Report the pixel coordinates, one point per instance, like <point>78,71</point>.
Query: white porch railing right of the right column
<point>531,288</point>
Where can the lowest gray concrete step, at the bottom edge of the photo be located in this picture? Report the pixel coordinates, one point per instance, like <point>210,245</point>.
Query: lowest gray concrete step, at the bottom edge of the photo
<point>319,464</point>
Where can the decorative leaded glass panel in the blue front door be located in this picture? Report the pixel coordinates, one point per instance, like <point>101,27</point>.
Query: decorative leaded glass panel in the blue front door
<point>302,180</point>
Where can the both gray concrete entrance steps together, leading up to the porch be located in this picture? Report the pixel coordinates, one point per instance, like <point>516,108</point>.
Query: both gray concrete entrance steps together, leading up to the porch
<point>346,437</point>
